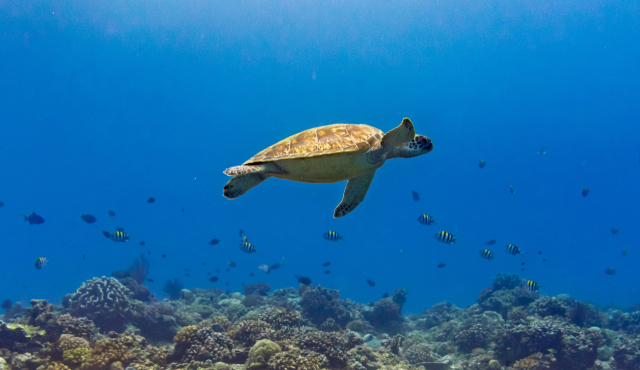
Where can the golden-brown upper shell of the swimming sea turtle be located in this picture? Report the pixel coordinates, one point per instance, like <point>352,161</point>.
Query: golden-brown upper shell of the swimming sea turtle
<point>331,139</point>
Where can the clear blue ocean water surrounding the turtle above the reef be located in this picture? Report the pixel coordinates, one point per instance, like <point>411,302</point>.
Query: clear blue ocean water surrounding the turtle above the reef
<point>107,103</point>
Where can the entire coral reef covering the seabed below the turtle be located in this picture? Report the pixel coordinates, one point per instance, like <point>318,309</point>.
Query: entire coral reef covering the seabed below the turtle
<point>111,324</point>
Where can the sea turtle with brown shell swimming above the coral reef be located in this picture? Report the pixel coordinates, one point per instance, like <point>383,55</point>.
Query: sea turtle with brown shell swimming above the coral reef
<point>330,153</point>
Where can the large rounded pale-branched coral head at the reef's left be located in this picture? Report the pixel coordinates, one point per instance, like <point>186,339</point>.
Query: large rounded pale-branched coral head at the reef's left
<point>105,301</point>
